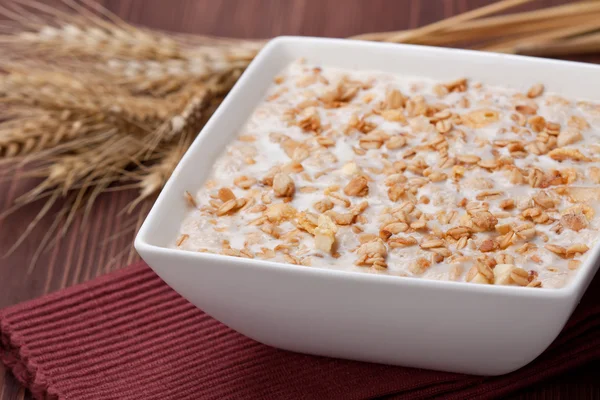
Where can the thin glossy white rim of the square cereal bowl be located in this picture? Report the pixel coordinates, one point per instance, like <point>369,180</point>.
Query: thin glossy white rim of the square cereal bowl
<point>573,288</point>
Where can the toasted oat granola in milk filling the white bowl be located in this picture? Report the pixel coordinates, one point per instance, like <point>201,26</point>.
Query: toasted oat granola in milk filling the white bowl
<point>367,171</point>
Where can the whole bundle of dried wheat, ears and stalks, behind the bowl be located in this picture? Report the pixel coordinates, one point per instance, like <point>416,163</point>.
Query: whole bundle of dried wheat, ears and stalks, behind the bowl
<point>89,103</point>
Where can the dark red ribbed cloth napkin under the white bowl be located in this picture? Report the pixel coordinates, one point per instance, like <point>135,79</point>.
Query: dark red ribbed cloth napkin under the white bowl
<point>127,335</point>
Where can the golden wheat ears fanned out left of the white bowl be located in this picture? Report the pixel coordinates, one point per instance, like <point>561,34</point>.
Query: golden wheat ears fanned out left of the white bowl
<point>95,104</point>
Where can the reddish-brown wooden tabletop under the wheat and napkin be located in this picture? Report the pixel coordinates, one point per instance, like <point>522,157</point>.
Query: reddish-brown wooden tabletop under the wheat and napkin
<point>87,252</point>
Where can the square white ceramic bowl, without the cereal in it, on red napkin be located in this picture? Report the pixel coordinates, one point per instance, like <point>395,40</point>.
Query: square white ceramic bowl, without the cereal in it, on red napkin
<point>460,327</point>
